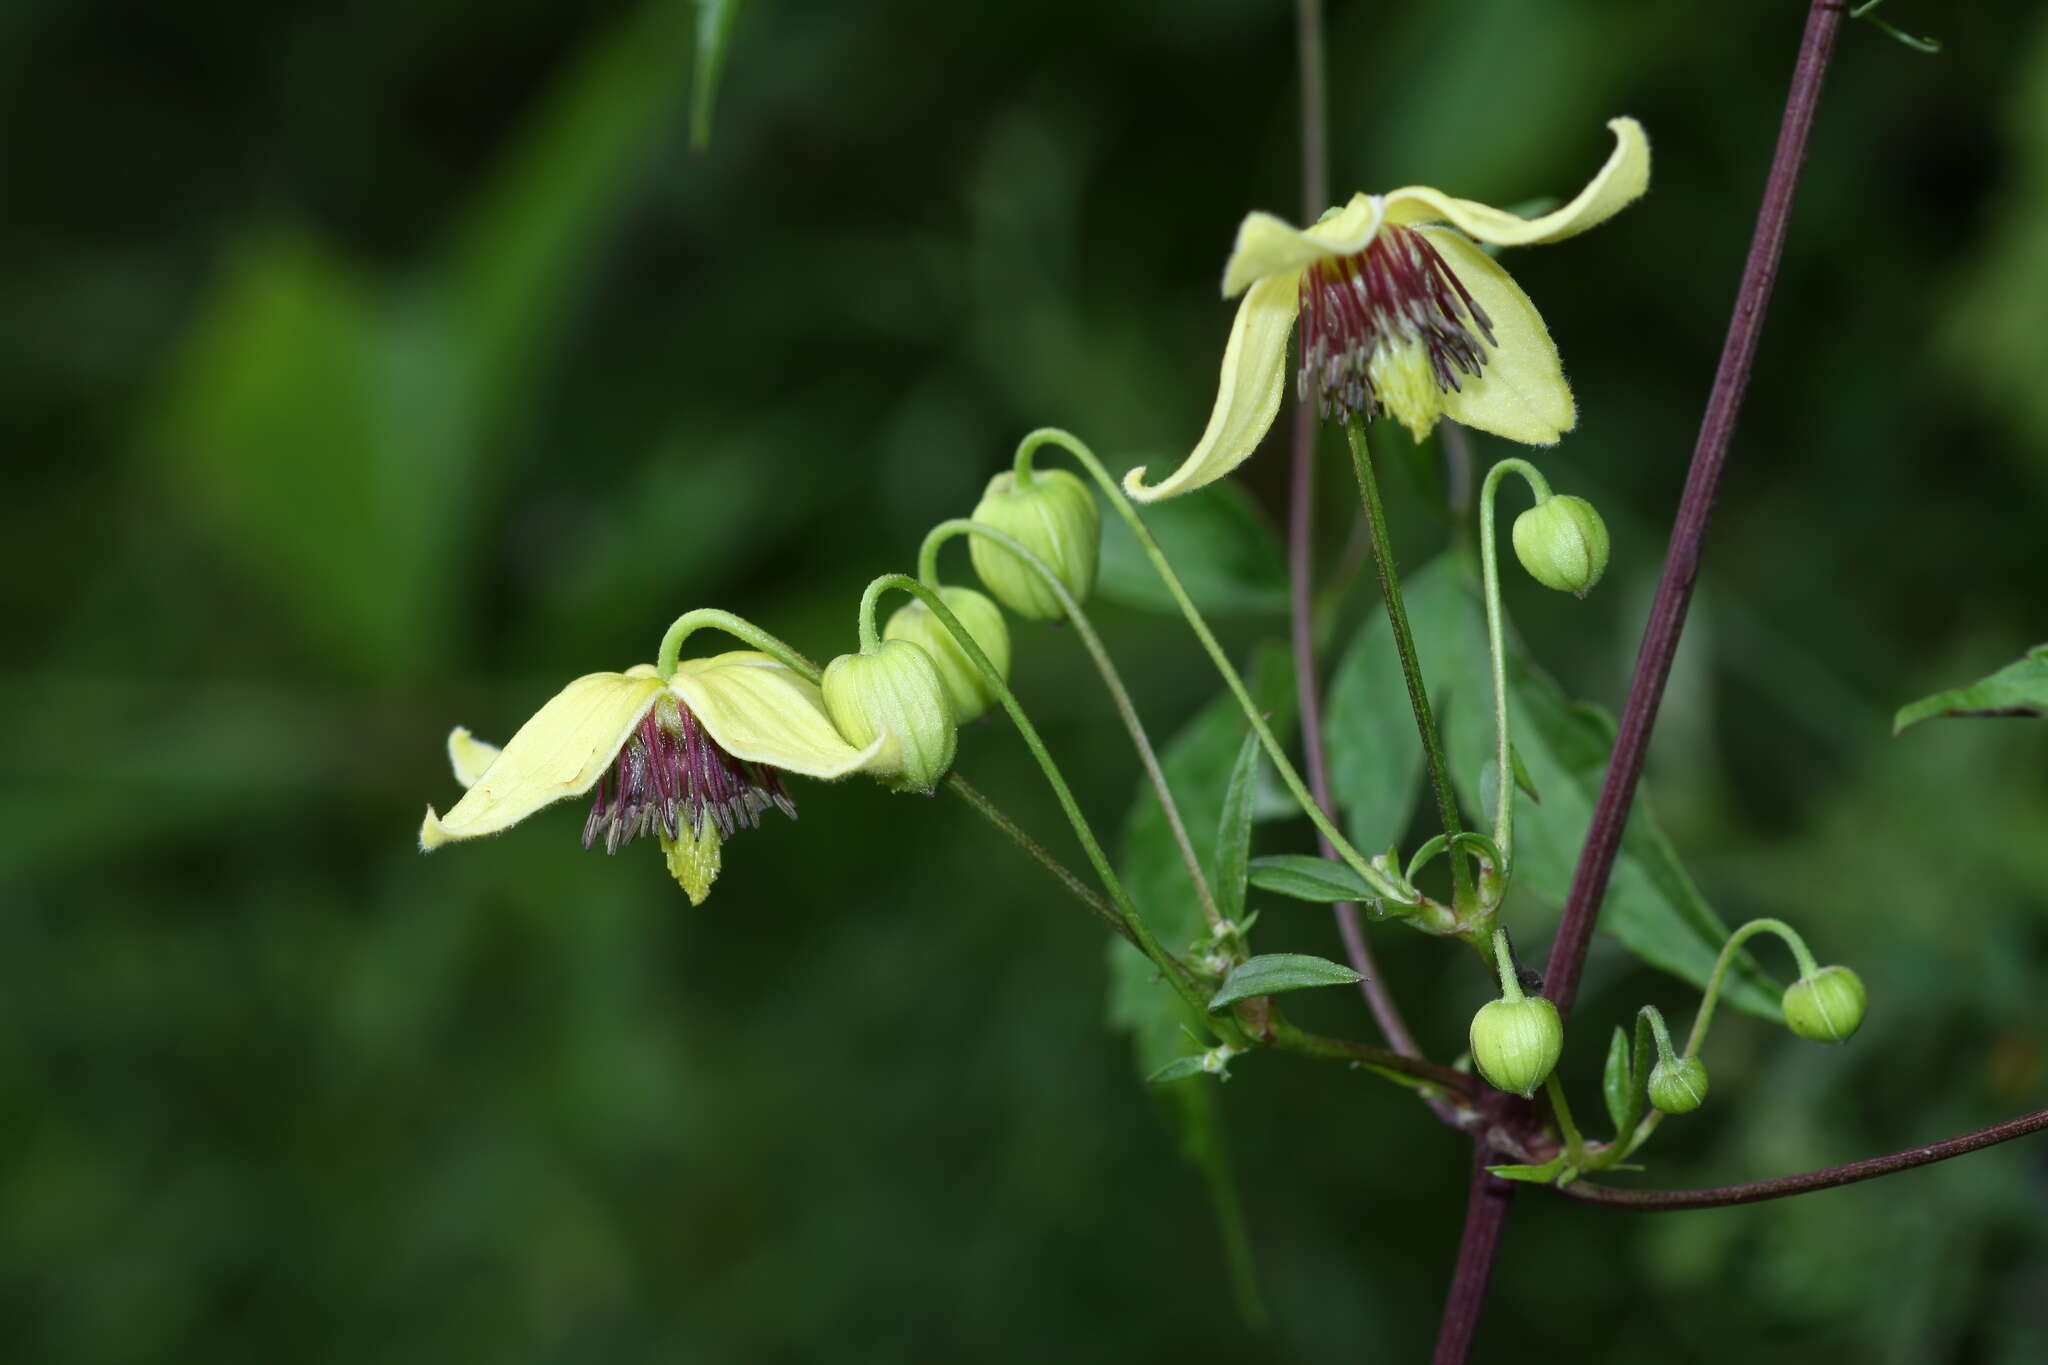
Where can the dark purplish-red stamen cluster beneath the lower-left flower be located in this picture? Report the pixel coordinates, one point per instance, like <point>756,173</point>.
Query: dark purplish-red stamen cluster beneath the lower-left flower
<point>673,775</point>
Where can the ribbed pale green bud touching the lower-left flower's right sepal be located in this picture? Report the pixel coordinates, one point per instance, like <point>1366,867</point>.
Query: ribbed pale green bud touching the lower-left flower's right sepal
<point>894,693</point>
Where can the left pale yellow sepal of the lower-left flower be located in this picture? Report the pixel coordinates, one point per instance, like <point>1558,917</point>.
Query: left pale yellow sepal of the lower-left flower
<point>560,752</point>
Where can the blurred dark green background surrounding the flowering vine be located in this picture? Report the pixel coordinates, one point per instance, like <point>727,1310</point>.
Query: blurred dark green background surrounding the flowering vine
<point>374,369</point>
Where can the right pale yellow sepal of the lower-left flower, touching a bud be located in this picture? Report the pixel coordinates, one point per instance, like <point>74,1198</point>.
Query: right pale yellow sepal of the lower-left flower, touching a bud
<point>765,713</point>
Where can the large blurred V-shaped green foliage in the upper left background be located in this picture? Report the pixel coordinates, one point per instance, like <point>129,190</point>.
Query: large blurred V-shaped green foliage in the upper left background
<point>329,427</point>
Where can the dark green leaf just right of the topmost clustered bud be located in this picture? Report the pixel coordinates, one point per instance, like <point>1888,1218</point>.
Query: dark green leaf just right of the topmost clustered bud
<point>1218,541</point>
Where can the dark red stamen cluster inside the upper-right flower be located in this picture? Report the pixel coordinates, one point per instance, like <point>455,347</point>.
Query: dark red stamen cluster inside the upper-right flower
<point>1394,292</point>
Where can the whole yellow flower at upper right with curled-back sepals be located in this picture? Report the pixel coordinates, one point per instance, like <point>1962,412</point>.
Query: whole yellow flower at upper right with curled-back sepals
<point>1398,316</point>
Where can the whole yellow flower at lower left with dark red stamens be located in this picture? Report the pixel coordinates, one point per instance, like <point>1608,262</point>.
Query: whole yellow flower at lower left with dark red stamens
<point>689,760</point>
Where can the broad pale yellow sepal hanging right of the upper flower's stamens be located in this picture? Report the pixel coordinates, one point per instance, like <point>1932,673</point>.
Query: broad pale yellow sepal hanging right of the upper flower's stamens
<point>1523,392</point>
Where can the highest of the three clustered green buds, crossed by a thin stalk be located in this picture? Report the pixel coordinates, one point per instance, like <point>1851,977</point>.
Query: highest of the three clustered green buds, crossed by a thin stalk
<point>1058,521</point>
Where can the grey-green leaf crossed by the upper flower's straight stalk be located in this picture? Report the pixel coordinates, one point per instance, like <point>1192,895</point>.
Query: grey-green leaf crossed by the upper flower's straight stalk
<point>1375,756</point>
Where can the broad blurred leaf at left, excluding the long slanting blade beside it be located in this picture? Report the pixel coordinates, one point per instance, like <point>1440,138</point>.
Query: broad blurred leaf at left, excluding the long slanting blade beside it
<point>298,408</point>
